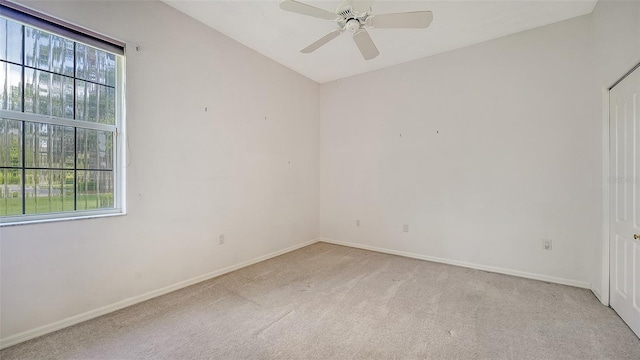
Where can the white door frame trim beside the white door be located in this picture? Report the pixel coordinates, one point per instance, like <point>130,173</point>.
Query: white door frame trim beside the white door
<point>604,296</point>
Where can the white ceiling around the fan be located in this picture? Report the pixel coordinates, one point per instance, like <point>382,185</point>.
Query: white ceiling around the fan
<point>280,35</point>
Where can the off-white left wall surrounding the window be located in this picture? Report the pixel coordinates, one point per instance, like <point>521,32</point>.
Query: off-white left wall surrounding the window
<point>248,168</point>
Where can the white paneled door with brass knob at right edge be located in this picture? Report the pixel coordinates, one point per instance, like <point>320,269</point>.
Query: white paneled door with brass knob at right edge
<point>624,126</point>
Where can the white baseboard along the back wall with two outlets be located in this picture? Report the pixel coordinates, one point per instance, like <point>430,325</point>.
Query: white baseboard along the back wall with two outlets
<point>499,270</point>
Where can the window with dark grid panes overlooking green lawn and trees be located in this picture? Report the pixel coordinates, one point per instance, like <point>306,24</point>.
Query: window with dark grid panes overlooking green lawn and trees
<point>60,105</point>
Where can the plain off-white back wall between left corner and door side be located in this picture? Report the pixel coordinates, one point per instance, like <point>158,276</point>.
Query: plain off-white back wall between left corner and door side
<point>500,148</point>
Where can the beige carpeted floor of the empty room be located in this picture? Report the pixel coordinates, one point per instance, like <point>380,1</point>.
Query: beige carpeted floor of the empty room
<point>332,302</point>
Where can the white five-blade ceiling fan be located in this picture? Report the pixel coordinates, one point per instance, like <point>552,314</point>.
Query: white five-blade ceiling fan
<point>355,16</point>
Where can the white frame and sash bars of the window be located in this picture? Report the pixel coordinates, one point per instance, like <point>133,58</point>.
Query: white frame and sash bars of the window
<point>8,10</point>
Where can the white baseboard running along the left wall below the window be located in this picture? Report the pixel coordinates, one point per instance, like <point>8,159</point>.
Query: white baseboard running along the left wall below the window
<point>45,329</point>
